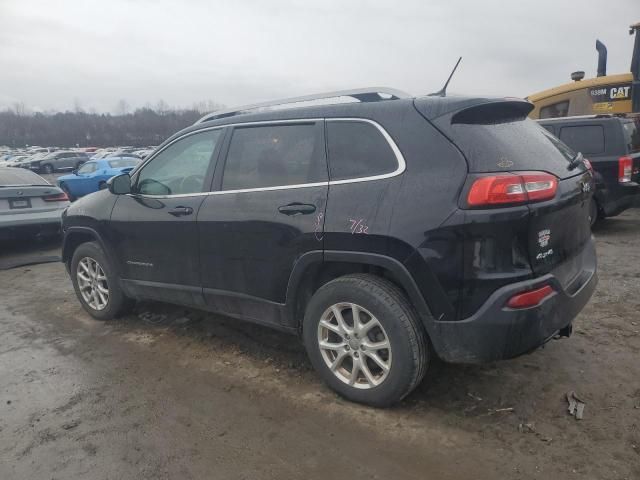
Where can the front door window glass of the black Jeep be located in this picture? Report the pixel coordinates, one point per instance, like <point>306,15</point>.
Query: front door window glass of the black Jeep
<point>180,168</point>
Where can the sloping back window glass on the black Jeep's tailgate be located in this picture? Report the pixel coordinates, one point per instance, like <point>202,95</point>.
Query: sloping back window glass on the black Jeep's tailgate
<point>514,145</point>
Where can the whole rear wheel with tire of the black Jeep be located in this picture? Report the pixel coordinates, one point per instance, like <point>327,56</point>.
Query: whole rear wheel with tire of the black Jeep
<point>365,340</point>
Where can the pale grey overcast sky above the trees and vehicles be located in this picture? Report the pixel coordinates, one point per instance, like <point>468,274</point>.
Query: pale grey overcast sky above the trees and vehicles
<point>96,52</point>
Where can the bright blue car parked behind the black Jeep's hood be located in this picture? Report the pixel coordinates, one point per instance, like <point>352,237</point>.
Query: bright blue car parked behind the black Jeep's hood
<point>93,175</point>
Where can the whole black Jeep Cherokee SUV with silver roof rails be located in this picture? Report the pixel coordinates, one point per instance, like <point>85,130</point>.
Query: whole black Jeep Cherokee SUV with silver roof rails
<point>383,232</point>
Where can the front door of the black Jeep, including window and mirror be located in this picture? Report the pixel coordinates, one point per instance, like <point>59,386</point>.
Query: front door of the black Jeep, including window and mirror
<point>154,228</point>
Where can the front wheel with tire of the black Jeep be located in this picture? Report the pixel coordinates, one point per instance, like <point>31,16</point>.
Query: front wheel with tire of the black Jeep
<point>96,284</point>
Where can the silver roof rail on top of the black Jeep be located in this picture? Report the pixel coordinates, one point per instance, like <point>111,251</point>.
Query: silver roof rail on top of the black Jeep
<point>374,94</point>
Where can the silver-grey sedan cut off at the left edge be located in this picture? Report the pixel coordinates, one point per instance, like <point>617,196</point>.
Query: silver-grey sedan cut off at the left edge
<point>29,204</point>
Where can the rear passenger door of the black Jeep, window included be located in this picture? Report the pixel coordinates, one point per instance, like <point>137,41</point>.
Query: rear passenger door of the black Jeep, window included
<point>267,211</point>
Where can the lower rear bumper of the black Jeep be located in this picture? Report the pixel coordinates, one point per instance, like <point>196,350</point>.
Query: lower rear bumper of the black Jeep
<point>496,332</point>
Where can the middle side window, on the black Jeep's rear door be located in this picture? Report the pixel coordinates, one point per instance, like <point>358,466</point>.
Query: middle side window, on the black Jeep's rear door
<point>275,155</point>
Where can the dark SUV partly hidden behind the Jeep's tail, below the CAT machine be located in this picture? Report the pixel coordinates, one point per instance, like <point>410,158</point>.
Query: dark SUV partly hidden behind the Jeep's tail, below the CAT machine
<point>612,145</point>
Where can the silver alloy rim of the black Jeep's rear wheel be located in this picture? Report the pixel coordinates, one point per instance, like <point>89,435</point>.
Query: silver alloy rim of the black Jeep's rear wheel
<point>354,345</point>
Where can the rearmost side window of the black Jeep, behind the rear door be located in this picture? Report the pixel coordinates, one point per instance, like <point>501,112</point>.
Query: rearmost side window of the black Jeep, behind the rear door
<point>358,149</point>
